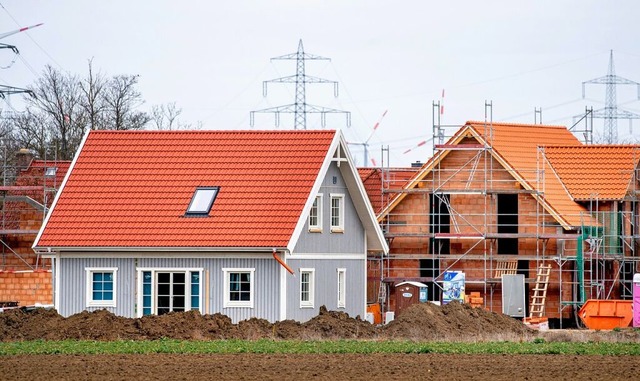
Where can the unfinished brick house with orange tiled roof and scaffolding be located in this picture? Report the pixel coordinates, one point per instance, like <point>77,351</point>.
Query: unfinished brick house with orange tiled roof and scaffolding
<point>498,200</point>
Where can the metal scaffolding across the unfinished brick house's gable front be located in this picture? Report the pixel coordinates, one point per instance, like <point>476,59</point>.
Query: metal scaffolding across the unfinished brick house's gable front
<point>508,231</point>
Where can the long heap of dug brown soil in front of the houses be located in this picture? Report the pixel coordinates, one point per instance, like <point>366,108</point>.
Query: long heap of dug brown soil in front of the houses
<point>452,322</point>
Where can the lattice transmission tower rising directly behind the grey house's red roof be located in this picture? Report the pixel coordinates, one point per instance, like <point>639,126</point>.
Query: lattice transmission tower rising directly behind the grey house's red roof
<point>300,108</point>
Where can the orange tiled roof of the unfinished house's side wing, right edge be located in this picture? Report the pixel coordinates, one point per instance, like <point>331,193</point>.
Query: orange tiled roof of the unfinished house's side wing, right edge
<point>601,172</point>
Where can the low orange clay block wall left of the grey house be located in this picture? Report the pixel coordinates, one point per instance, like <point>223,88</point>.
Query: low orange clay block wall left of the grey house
<point>26,287</point>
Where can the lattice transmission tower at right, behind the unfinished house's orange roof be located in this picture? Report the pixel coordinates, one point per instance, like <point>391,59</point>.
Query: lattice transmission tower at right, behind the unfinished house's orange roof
<point>611,113</point>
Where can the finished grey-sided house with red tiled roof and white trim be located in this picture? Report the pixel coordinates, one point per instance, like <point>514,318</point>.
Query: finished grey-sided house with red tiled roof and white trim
<point>264,224</point>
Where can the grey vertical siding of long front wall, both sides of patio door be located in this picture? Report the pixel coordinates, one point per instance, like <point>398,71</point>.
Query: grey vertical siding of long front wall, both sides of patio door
<point>266,284</point>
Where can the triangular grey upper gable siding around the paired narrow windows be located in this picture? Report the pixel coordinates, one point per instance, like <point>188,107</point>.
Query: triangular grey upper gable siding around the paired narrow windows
<point>352,240</point>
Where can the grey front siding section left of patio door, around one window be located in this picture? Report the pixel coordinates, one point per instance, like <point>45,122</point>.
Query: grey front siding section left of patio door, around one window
<point>73,283</point>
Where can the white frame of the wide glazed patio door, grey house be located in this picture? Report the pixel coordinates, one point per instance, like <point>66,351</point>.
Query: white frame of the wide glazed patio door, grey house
<point>154,285</point>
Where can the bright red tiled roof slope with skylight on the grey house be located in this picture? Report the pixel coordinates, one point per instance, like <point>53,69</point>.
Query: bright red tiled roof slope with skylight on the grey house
<point>132,188</point>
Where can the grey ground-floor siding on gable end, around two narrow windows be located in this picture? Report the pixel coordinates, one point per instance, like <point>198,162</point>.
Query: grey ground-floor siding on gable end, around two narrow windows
<point>326,287</point>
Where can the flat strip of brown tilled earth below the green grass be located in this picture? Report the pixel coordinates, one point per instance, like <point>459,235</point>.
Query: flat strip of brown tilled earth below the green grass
<point>322,367</point>
